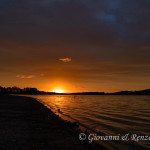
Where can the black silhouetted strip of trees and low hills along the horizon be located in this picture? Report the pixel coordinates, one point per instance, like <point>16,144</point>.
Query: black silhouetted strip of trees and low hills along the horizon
<point>28,90</point>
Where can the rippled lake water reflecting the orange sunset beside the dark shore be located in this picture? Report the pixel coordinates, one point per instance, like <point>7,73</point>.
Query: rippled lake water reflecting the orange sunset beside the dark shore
<point>106,115</point>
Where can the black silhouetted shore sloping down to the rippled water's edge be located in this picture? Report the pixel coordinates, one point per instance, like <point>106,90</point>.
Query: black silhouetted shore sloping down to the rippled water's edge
<point>25,124</point>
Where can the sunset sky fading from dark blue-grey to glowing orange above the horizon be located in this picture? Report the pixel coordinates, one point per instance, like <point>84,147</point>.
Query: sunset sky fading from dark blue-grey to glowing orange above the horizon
<point>75,45</point>
